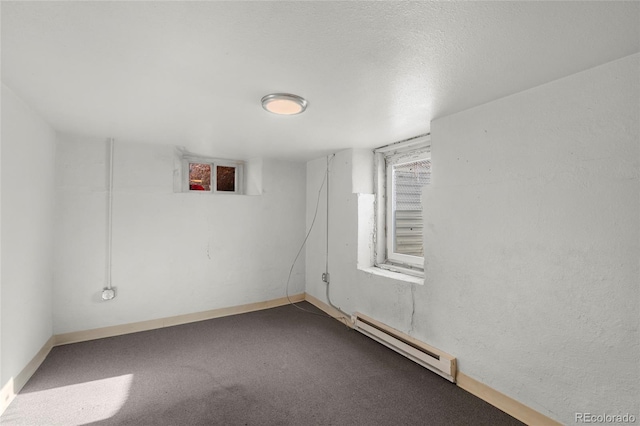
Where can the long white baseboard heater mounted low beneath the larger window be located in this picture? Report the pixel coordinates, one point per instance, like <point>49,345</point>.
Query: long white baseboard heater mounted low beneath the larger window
<point>429,357</point>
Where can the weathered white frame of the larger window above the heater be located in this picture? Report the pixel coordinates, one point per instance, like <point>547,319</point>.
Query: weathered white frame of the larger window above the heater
<point>386,157</point>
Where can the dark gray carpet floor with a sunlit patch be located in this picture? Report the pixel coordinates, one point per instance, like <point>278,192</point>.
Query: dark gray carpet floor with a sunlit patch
<point>279,366</point>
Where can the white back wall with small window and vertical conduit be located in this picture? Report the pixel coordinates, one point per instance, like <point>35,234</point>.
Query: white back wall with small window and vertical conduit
<point>173,253</point>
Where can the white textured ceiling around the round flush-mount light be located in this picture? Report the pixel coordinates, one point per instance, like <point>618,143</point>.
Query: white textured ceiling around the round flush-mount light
<point>193,73</point>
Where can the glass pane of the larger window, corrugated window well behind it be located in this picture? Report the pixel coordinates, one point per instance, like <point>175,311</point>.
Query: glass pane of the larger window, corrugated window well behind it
<point>408,180</point>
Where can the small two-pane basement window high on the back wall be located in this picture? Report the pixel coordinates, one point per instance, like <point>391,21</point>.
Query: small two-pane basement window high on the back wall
<point>212,175</point>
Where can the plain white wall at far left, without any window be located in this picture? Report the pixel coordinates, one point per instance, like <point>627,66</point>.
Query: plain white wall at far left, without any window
<point>28,155</point>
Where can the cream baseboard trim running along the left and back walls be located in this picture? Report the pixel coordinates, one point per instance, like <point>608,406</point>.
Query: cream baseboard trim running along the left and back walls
<point>14,385</point>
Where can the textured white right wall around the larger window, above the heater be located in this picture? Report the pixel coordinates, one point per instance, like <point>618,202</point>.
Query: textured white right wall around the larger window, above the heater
<point>532,244</point>
